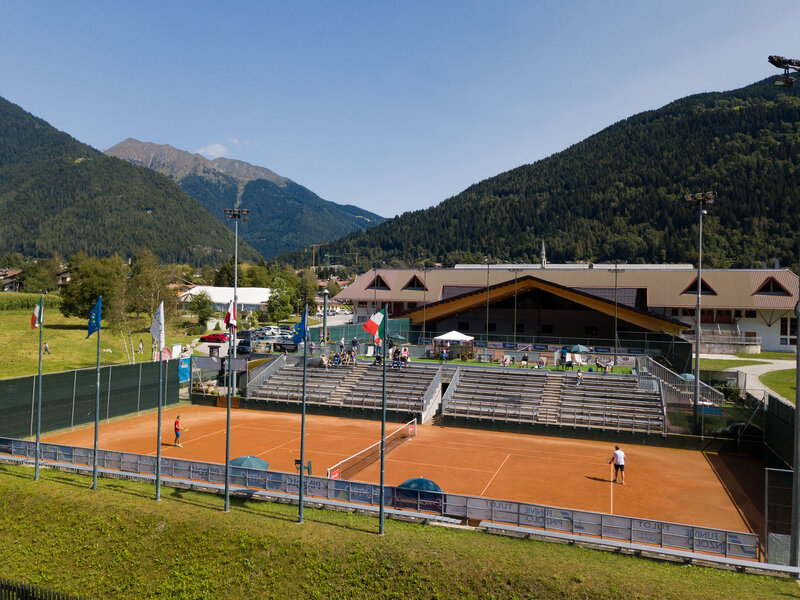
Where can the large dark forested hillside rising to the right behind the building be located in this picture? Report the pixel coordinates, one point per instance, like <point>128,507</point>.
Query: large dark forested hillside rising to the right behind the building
<point>618,195</point>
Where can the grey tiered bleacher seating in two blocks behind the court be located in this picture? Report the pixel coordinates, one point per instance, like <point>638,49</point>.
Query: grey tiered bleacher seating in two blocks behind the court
<point>538,397</point>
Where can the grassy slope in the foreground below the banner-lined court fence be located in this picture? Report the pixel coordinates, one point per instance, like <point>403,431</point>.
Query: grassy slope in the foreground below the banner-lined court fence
<point>117,542</point>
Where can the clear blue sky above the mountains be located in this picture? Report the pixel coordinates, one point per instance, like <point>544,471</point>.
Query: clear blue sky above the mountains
<point>391,106</point>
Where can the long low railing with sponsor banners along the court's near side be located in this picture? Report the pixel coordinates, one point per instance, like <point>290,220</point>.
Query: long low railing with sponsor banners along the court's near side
<point>592,525</point>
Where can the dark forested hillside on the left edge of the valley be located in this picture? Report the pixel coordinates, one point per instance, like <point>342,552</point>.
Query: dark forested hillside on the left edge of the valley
<point>58,195</point>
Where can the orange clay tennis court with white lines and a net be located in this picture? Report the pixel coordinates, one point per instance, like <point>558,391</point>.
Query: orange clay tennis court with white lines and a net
<point>682,486</point>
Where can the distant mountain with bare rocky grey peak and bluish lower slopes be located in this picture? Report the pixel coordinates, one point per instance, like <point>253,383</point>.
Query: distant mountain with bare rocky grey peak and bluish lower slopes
<point>284,215</point>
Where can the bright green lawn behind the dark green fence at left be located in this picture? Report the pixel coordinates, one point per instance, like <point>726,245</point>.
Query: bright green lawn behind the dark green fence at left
<point>69,348</point>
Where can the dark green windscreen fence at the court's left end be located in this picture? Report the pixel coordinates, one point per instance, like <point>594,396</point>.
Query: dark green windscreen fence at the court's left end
<point>69,398</point>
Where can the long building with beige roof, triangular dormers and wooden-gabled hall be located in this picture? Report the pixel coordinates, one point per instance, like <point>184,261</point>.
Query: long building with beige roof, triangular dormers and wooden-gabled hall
<point>741,309</point>
